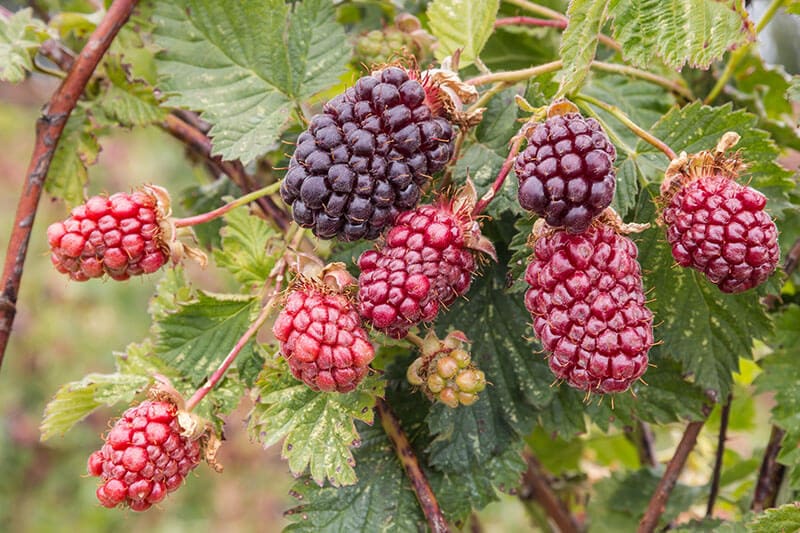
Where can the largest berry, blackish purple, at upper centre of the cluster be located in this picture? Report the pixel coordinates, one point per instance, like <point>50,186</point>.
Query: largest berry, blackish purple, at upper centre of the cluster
<point>364,159</point>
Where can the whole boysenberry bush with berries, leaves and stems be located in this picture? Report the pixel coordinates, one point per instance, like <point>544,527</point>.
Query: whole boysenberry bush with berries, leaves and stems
<point>459,249</point>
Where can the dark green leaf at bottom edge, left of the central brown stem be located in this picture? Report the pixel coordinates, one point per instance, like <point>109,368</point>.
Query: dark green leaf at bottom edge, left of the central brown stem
<point>382,500</point>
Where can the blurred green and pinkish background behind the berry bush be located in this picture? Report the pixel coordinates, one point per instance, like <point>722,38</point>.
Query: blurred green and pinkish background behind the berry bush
<point>65,330</point>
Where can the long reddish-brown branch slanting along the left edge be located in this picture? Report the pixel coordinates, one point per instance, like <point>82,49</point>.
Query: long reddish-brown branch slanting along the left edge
<point>48,131</point>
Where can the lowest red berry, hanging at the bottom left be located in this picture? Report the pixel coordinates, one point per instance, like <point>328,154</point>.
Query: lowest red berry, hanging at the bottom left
<point>144,457</point>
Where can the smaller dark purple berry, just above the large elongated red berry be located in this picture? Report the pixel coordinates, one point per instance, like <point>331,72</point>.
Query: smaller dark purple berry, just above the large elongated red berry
<point>566,173</point>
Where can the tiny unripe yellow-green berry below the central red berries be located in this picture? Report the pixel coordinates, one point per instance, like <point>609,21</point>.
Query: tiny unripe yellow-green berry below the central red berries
<point>445,372</point>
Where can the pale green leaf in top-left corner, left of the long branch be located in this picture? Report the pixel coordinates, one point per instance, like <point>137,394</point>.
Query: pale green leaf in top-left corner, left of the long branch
<point>20,37</point>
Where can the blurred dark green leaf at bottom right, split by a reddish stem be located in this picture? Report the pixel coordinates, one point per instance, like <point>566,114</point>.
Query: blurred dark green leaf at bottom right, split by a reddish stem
<point>619,501</point>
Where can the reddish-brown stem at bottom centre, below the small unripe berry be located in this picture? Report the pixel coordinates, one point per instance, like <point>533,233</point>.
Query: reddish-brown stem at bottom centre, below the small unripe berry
<point>422,488</point>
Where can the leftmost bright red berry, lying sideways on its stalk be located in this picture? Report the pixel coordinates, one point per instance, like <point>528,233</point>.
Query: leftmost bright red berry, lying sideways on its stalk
<point>118,236</point>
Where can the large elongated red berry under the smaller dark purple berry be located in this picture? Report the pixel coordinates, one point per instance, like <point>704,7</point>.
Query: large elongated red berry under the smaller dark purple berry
<point>588,308</point>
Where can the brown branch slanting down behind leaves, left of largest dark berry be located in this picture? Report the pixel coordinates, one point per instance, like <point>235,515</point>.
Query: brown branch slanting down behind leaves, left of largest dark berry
<point>201,144</point>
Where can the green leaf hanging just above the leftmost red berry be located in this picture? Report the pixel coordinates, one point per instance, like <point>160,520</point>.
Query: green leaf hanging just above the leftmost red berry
<point>77,149</point>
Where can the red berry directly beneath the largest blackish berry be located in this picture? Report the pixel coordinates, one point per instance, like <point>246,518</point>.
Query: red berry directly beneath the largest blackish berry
<point>423,264</point>
